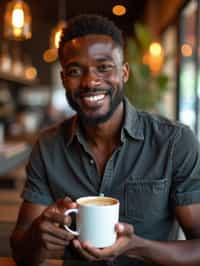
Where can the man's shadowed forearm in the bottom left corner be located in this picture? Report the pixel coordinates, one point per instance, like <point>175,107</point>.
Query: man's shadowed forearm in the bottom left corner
<point>26,249</point>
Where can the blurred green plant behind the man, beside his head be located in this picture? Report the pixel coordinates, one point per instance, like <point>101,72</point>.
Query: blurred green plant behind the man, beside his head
<point>144,87</point>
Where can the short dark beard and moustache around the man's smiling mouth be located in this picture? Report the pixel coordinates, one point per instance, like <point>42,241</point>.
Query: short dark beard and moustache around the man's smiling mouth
<point>115,100</point>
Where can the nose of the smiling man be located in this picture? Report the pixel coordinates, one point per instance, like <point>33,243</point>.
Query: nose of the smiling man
<point>90,79</point>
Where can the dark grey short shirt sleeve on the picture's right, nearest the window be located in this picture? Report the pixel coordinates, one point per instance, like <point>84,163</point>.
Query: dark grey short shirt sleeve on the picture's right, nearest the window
<point>186,168</point>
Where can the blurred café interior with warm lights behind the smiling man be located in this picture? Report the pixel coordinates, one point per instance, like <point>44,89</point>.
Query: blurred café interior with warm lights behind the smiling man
<point>31,93</point>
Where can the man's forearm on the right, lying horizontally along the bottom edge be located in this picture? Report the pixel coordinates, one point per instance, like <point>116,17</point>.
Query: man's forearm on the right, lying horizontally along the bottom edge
<point>177,253</point>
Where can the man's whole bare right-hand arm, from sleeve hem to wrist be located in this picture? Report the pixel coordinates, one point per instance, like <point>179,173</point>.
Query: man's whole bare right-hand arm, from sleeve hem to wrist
<point>177,252</point>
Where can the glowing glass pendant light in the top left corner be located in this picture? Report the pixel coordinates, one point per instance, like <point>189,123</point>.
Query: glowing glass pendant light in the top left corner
<point>17,21</point>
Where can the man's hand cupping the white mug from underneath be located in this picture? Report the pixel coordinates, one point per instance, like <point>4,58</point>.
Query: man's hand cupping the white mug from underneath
<point>125,235</point>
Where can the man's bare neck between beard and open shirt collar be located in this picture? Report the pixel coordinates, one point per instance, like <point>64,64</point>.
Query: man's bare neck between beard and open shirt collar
<point>107,132</point>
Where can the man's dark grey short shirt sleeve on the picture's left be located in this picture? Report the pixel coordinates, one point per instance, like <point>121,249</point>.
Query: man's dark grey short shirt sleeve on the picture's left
<point>36,187</point>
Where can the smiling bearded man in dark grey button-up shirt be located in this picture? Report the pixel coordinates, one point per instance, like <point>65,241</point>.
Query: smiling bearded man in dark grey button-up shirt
<point>150,164</point>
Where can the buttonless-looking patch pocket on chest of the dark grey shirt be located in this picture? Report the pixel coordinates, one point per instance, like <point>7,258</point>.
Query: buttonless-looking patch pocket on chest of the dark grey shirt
<point>146,199</point>
